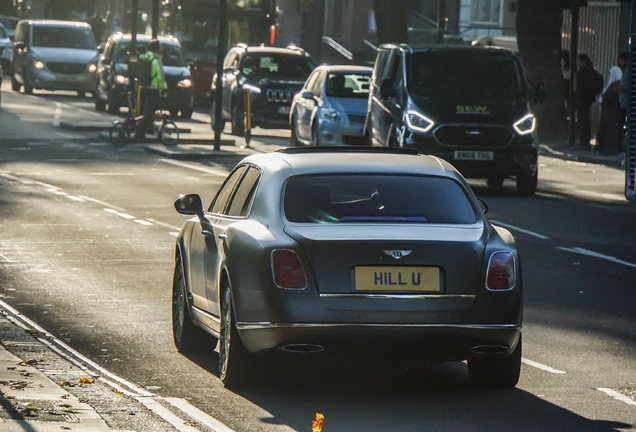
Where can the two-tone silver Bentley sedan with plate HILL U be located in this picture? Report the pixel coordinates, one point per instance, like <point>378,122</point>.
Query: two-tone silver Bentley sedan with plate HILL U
<point>321,248</point>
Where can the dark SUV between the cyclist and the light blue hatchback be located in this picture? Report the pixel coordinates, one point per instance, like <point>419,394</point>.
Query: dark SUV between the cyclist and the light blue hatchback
<point>272,75</point>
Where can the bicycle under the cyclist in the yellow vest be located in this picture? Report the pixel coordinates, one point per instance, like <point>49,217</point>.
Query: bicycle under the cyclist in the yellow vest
<point>121,130</point>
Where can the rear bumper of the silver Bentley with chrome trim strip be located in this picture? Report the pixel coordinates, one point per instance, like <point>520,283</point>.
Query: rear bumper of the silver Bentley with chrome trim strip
<point>441,342</point>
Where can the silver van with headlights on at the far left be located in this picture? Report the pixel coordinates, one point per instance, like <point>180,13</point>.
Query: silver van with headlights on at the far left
<point>54,55</point>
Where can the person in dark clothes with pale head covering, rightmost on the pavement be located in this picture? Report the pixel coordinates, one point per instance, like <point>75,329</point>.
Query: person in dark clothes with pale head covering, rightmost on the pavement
<point>610,133</point>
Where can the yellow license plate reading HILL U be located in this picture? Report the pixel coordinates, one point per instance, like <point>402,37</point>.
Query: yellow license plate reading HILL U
<point>397,279</point>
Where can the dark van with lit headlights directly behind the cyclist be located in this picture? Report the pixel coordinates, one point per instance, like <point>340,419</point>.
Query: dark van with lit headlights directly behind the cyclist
<point>113,79</point>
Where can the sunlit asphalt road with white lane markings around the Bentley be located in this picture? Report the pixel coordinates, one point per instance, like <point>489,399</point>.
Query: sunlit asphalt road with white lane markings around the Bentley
<point>87,246</point>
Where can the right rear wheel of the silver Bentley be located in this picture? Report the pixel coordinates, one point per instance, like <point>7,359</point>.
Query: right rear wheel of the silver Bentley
<point>496,371</point>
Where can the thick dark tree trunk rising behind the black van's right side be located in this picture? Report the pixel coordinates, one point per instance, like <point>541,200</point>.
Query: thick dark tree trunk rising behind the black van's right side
<point>539,38</point>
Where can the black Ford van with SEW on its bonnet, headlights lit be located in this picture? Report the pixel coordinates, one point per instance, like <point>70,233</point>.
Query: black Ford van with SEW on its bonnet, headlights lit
<point>468,105</point>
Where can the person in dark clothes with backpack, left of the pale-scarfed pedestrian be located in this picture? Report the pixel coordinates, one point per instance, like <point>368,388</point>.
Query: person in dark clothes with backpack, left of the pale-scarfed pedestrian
<point>588,86</point>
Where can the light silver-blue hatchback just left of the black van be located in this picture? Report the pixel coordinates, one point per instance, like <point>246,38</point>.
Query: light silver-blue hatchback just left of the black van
<point>331,108</point>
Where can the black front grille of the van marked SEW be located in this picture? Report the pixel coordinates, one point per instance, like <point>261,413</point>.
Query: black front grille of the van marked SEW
<point>478,136</point>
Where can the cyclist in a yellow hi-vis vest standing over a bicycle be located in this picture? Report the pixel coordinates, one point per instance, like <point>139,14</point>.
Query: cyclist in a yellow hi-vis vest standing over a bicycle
<point>152,81</point>
